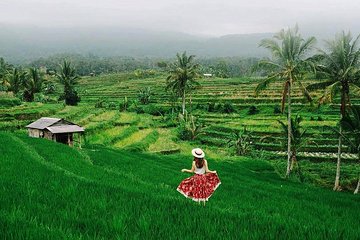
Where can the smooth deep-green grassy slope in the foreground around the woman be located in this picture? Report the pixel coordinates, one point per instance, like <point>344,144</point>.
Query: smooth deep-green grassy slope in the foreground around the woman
<point>100,193</point>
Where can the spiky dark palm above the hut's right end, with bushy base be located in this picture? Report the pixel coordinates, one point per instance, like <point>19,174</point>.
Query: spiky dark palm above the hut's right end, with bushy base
<point>69,79</point>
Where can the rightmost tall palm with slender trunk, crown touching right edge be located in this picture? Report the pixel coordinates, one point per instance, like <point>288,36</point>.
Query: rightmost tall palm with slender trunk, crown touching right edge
<point>340,65</point>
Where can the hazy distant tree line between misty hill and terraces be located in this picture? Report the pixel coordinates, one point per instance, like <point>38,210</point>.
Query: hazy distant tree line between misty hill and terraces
<point>86,65</point>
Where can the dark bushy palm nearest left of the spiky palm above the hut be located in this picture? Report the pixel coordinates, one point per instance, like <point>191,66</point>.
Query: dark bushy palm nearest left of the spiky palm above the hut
<point>32,84</point>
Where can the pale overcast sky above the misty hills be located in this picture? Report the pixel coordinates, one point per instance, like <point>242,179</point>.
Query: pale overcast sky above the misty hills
<point>207,17</point>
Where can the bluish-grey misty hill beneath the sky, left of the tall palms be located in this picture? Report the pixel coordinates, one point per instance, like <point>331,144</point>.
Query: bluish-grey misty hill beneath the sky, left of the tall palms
<point>20,44</point>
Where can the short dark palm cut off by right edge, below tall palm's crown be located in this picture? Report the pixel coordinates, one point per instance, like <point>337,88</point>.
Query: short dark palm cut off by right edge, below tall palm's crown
<point>351,125</point>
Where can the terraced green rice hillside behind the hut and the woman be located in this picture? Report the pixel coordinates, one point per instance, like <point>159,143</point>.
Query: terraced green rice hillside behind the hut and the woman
<point>222,106</point>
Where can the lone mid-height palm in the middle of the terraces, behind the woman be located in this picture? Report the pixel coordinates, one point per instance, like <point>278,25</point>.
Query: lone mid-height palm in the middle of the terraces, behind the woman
<point>182,78</point>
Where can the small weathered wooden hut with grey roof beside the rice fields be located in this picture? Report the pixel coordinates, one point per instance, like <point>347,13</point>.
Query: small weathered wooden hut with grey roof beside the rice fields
<point>55,129</point>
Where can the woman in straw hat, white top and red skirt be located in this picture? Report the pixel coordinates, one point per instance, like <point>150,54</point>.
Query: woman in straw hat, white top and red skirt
<point>200,186</point>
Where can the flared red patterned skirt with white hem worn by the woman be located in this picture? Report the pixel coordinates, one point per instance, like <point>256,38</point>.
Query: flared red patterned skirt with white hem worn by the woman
<point>199,187</point>
